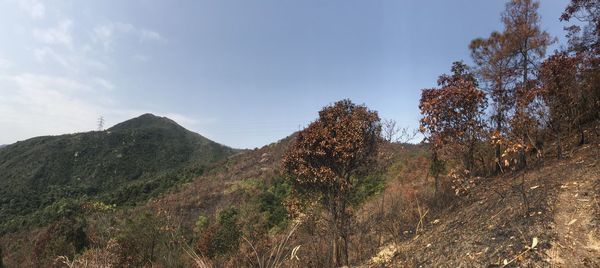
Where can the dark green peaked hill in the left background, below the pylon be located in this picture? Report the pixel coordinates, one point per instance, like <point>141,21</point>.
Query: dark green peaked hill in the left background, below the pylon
<point>42,178</point>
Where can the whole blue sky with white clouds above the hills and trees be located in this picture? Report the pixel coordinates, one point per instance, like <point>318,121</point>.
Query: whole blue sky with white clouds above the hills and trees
<point>243,73</point>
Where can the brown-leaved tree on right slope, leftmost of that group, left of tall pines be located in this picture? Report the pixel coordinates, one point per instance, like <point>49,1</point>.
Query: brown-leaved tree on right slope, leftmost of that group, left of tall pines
<point>453,116</point>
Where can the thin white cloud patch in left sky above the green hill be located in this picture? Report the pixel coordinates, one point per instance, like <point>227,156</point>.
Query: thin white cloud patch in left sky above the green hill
<point>79,87</point>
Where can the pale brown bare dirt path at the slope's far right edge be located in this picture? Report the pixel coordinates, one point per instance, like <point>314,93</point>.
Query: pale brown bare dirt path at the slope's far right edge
<point>576,223</point>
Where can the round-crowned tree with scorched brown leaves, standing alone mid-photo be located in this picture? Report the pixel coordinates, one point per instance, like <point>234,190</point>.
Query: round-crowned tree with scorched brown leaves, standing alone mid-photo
<point>327,160</point>
